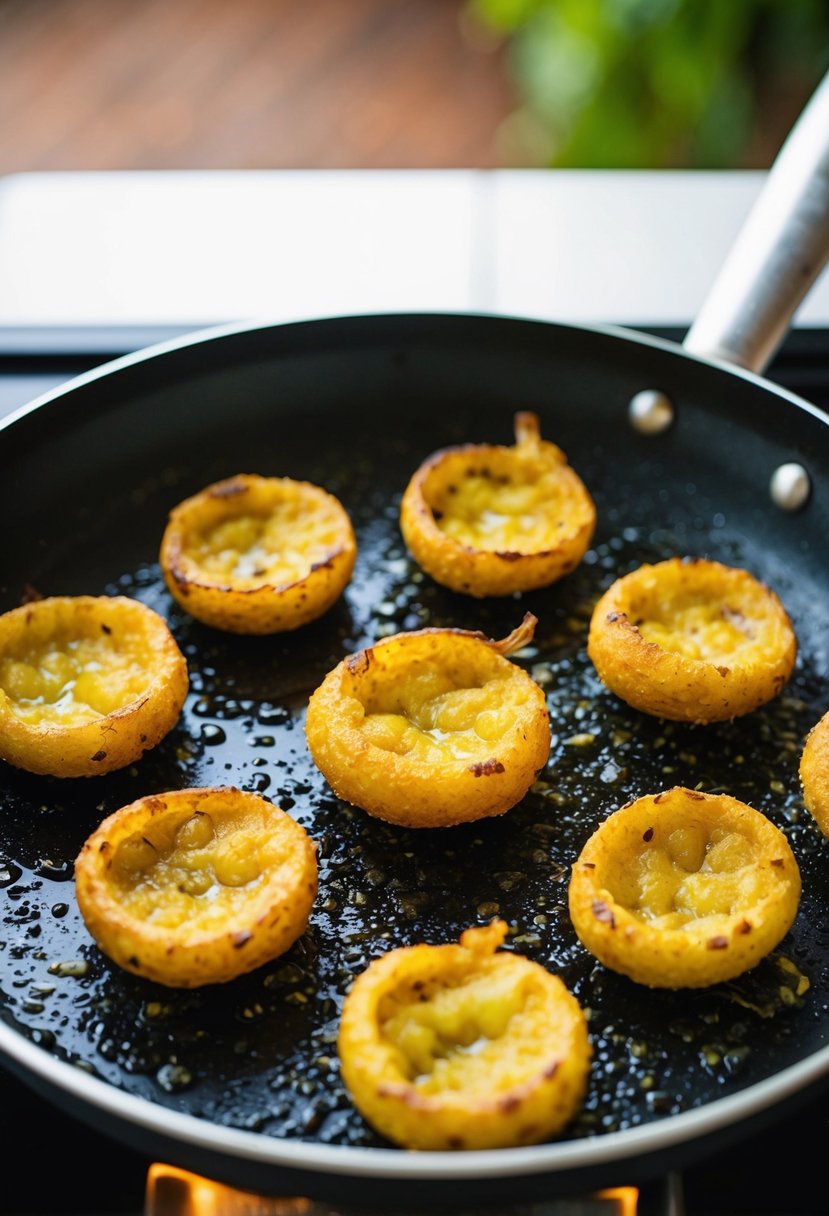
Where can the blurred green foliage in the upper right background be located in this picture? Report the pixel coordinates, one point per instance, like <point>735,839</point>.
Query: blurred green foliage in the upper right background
<point>657,83</point>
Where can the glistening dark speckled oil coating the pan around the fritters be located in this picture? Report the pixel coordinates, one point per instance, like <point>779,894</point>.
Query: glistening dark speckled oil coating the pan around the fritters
<point>260,1054</point>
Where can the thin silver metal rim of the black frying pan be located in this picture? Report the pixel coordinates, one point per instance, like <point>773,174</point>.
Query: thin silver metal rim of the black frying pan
<point>393,1163</point>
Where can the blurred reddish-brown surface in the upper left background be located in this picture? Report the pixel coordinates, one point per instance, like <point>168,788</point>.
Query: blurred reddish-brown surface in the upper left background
<point>223,85</point>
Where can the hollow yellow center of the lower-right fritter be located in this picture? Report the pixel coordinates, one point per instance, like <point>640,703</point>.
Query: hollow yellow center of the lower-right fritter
<point>691,875</point>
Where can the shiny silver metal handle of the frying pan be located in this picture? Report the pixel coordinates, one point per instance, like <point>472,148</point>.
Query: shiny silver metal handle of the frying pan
<point>779,255</point>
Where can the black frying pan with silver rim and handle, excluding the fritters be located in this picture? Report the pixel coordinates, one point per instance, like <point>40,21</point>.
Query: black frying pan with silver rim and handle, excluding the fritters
<point>685,452</point>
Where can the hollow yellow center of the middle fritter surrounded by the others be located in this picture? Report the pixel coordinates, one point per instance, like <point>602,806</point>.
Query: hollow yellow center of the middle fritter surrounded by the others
<point>427,714</point>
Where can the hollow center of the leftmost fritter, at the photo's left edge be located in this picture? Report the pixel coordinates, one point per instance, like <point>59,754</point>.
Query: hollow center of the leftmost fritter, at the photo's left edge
<point>76,679</point>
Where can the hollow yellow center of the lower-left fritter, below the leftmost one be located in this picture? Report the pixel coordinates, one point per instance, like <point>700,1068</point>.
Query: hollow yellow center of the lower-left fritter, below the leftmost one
<point>176,871</point>
